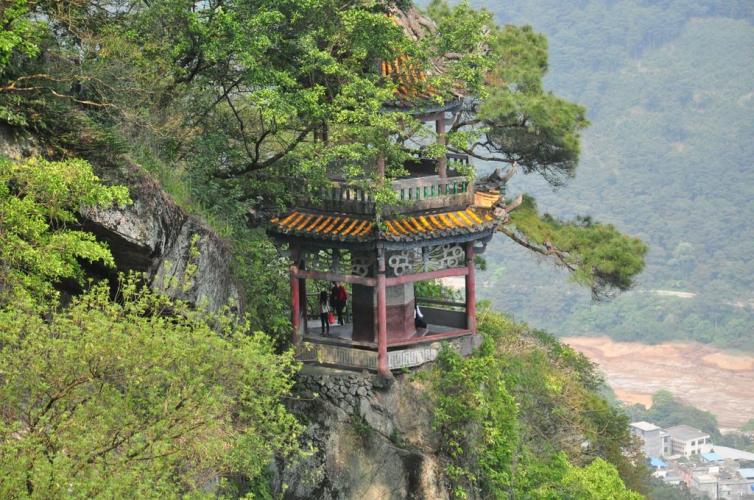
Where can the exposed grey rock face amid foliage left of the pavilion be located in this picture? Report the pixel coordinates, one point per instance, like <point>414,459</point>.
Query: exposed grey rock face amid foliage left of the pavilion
<point>153,235</point>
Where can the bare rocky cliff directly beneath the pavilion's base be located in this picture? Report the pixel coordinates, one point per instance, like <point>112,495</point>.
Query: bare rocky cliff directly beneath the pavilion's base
<point>369,441</point>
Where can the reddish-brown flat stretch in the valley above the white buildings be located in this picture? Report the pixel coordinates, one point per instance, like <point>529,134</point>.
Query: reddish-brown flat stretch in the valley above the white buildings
<point>704,376</point>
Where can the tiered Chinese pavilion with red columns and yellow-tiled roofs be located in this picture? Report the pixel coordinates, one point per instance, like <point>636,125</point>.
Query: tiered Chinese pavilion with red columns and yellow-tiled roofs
<point>434,231</point>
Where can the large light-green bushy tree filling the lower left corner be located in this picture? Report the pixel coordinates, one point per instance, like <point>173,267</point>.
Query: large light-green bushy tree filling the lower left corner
<point>139,396</point>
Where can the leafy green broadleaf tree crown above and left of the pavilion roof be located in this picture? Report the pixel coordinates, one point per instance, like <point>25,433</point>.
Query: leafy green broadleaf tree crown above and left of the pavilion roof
<point>244,87</point>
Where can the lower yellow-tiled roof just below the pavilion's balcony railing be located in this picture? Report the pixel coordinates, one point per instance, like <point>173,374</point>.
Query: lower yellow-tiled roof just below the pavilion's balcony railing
<point>409,228</point>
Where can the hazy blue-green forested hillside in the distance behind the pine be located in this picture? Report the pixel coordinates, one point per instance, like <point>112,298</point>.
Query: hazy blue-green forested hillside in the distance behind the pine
<point>669,89</point>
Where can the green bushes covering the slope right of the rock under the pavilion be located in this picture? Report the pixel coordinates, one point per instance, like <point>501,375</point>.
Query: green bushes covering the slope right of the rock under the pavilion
<point>522,417</point>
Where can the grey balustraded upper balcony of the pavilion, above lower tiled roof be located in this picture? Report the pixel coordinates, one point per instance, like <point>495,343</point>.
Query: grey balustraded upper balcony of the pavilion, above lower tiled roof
<point>421,190</point>
